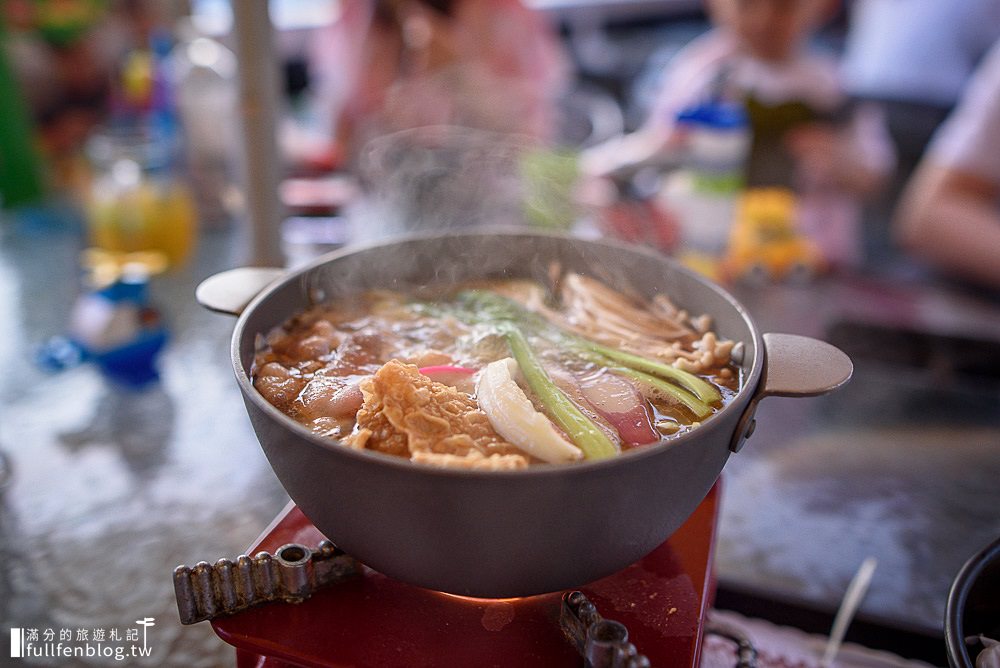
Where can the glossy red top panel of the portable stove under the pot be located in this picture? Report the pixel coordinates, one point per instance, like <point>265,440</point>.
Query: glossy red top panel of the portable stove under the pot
<point>377,622</point>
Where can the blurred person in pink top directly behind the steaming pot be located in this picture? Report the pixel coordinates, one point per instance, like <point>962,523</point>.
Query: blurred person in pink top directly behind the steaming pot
<point>388,65</point>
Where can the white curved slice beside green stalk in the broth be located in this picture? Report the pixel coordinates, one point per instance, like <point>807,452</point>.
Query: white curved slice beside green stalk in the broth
<point>515,418</point>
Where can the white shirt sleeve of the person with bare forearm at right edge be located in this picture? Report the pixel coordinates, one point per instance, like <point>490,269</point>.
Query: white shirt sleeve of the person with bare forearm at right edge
<point>970,139</point>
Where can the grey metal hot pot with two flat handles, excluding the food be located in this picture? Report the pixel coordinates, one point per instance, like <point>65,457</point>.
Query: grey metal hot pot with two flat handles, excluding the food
<point>505,534</point>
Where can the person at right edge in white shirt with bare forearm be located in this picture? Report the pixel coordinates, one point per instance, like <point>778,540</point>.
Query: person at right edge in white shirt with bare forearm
<point>950,212</point>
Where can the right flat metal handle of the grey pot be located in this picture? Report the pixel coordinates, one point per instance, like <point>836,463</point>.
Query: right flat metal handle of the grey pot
<point>794,366</point>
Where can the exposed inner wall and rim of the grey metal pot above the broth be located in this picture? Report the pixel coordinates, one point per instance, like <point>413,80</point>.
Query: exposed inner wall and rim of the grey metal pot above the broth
<point>417,261</point>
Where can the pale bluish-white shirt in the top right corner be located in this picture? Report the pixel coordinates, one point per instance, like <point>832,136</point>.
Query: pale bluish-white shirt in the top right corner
<point>917,50</point>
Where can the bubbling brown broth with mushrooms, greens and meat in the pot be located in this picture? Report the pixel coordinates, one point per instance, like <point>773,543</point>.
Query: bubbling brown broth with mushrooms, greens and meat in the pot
<point>498,375</point>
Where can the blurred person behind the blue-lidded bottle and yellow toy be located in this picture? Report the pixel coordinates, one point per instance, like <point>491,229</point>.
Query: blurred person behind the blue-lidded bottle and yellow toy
<point>806,135</point>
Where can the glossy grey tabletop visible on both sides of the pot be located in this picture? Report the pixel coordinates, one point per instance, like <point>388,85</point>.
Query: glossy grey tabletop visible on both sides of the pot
<point>112,489</point>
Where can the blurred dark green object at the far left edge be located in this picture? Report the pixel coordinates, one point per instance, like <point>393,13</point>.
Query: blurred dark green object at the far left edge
<point>20,167</point>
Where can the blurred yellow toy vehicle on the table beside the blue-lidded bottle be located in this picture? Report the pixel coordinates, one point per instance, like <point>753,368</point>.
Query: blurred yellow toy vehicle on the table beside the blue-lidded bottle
<point>764,242</point>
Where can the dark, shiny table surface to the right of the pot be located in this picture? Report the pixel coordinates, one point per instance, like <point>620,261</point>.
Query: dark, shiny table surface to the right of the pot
<point>901,464</point>
